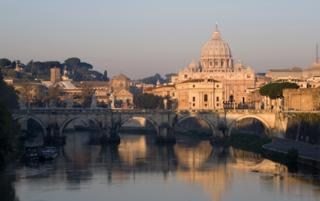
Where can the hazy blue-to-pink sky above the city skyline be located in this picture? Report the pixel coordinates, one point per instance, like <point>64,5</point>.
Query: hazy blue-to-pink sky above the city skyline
<point>142,37</point>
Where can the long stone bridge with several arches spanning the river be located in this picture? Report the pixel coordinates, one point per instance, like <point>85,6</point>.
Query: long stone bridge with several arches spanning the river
<point>53,121</point>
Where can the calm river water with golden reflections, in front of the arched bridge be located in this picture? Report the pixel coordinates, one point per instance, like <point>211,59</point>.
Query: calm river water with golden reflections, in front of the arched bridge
<point>138,170</point>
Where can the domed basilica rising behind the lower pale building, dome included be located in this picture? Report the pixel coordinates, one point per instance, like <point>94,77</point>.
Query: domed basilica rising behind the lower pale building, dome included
<point>216,62</point>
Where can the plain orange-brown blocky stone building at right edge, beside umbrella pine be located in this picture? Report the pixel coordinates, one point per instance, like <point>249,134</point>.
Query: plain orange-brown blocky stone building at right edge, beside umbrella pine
<point>302,99</point>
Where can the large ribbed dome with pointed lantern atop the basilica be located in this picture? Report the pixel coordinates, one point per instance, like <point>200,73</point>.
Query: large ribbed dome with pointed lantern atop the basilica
<point>216,53</point>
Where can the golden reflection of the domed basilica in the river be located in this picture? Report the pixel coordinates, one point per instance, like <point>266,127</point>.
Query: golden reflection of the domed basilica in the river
<point>204,168</point>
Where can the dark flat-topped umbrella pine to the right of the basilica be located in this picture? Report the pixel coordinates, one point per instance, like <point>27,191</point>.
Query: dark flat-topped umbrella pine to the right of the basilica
<point>274,90</point>
